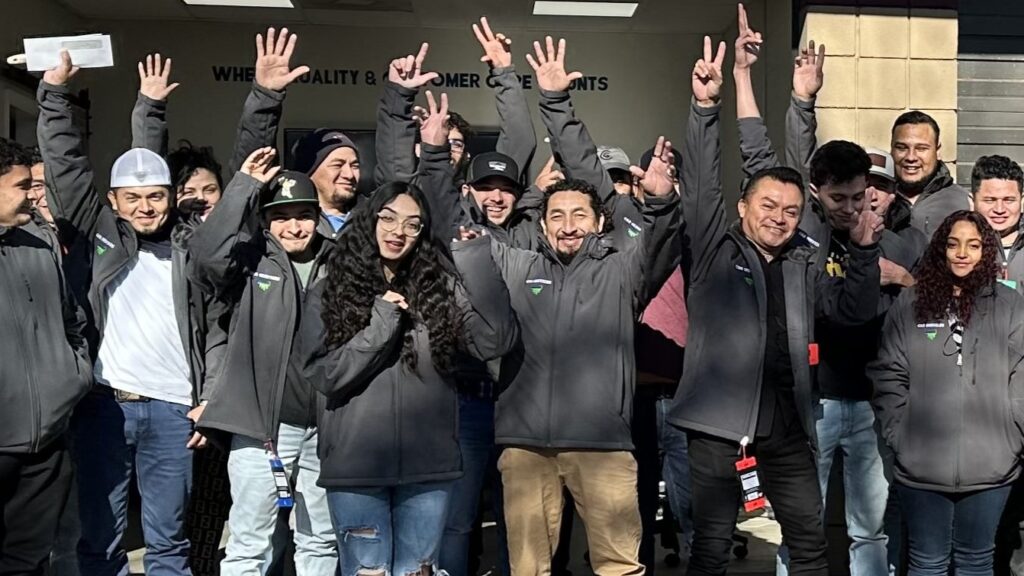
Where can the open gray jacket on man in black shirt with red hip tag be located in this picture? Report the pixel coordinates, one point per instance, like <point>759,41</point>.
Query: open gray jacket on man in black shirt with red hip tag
<point>720,390</point>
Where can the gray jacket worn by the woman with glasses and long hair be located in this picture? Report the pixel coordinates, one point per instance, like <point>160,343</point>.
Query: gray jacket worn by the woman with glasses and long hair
<point>386,425</point>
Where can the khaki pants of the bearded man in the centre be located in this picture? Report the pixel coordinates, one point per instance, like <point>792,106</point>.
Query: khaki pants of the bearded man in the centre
<point>605,487</point>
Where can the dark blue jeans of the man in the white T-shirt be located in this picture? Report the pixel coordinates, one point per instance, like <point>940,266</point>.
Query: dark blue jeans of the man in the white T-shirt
<point>111,439</point>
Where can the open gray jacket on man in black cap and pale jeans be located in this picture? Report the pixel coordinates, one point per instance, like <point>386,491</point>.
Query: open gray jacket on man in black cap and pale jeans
<point>234,259</point>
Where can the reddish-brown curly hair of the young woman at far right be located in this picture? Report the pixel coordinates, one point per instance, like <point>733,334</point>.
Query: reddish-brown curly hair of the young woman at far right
<point>935,280</point>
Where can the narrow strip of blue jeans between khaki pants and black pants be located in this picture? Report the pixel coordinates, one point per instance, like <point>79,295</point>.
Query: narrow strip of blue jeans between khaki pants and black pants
<point>676,470</point>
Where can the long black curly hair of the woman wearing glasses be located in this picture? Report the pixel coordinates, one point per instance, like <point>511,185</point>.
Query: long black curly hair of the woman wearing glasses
<point>426,278</point>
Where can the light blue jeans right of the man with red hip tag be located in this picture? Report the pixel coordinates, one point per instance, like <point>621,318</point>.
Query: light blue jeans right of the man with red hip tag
<point>848,427</point>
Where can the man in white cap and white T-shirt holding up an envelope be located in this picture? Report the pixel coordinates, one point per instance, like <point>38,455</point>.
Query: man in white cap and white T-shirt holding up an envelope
<point>148,336</point>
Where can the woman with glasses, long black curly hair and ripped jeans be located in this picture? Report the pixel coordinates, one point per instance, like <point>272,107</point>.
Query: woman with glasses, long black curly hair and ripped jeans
<point>380,336</point>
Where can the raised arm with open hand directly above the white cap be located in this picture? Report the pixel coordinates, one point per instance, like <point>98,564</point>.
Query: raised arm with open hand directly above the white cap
<point>149,118</point>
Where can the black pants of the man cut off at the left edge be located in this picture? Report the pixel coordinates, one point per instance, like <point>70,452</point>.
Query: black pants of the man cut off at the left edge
<point>34,490</point>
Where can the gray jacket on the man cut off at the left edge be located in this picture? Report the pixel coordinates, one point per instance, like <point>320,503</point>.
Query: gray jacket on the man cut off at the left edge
<point>45,365</point>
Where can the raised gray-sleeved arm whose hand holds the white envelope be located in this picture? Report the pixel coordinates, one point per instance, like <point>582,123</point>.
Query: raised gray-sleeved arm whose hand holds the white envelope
<point>74,198</point>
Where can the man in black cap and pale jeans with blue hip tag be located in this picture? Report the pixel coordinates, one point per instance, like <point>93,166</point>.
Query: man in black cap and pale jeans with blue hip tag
<point>262,253</point>
